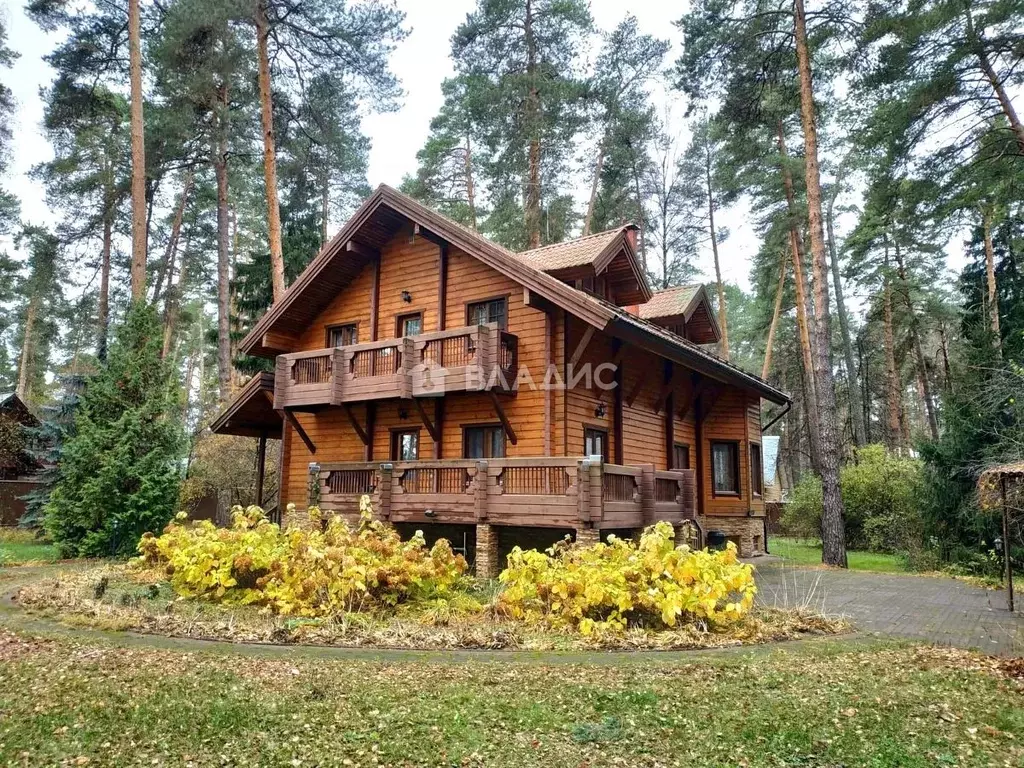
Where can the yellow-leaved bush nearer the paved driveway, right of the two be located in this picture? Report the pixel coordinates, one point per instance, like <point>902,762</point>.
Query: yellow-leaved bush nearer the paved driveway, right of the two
<point>610,587</point>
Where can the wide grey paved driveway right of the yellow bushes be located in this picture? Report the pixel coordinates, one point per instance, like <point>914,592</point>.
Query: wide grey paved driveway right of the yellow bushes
<point>941,611</point>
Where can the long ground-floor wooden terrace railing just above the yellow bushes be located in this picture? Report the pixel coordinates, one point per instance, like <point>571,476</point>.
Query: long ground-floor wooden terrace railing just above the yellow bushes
<point>565,493</point>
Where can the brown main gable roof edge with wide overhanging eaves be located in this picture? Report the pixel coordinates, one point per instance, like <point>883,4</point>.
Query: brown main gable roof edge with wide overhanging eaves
<point>381,217</point>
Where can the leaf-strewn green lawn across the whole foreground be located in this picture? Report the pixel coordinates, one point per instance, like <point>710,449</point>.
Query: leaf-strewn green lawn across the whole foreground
<point>67,702</point>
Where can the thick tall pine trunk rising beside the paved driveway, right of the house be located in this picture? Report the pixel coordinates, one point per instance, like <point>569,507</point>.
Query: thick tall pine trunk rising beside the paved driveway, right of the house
<point>833,530</point>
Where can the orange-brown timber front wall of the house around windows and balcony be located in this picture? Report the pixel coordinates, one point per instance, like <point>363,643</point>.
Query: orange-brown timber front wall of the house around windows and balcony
<point>414,266</point>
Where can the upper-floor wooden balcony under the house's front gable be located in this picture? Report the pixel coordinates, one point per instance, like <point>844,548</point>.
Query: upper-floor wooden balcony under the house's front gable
<point>471,359</point>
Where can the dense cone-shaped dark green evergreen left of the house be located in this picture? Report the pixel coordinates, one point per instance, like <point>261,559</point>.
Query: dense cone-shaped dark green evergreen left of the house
<point>119,476</point>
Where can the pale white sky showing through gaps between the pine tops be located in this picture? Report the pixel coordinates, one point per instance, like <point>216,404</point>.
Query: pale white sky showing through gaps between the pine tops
<point>421,62</point>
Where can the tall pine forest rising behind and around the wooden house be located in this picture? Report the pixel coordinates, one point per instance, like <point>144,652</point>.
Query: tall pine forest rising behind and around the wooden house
<point>248,141</point>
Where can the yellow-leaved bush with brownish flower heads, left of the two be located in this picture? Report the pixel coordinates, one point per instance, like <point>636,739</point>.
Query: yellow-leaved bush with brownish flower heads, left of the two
<point>317,573</point>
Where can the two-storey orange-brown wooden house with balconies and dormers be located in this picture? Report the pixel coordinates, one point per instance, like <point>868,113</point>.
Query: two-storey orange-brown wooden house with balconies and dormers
<point>502,399</point>
